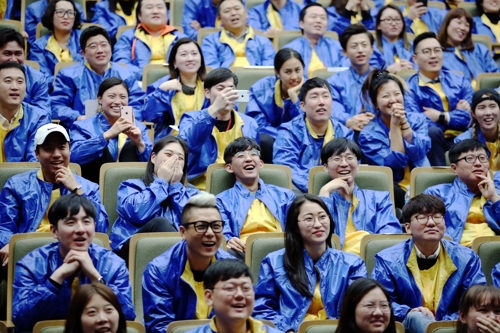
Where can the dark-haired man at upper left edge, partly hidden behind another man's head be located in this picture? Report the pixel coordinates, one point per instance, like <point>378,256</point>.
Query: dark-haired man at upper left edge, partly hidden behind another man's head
<point>37,85</point>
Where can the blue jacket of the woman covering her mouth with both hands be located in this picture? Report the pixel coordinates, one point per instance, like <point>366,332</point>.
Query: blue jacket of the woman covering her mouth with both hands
<point>137,204</point>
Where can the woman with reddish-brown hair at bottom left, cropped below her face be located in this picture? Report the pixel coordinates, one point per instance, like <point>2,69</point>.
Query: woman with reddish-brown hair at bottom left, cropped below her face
<point>94,307</point>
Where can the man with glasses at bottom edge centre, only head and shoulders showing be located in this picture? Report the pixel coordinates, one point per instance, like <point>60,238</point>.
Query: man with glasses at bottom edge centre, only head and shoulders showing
<point>228,282</point>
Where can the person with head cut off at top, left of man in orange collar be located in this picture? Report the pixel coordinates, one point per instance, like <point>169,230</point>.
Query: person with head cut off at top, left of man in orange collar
<point>112,14</point>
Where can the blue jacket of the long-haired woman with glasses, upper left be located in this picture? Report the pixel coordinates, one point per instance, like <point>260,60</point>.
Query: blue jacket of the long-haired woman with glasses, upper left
<point>47,59</point>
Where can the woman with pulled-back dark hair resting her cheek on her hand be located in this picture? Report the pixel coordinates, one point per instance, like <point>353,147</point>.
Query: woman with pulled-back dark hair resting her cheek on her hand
<point>274,99</point>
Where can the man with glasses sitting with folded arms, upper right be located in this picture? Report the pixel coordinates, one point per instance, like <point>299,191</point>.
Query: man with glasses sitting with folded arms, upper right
<point>443,96</point>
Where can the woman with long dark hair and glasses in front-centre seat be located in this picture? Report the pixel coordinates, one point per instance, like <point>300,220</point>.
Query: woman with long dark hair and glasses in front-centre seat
<point>306,280</point>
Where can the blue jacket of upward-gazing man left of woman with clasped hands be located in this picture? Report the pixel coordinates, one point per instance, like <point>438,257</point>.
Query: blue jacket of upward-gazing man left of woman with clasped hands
<point>295,147</point>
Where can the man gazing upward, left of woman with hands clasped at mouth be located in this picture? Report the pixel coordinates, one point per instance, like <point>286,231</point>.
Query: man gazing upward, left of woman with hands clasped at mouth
<point>299,141</point>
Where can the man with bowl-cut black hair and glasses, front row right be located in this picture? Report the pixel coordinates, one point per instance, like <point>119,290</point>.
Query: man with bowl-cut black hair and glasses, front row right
<point>415,272</point>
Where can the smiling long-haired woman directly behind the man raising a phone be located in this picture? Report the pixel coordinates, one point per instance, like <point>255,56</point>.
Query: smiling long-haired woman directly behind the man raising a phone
<point>181,91</point>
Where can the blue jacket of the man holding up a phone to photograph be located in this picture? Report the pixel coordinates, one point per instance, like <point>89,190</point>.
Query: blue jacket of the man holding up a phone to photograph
<point>196,129</point>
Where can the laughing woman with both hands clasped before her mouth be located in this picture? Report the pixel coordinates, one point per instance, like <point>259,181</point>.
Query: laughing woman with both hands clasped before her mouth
<point>394,138</point>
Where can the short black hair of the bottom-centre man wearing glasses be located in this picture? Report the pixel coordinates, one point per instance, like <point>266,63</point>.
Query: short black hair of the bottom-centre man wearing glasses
<point>223,270</point>
